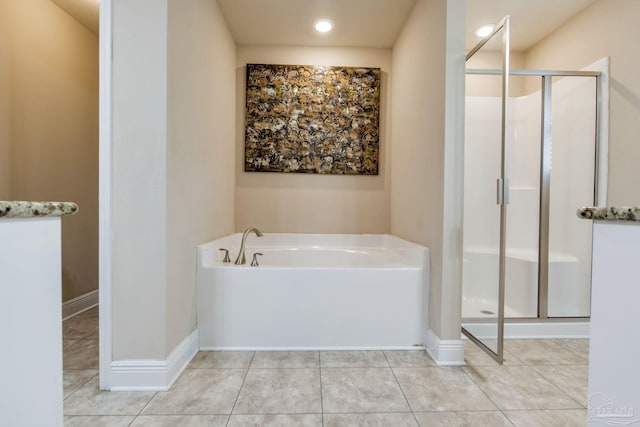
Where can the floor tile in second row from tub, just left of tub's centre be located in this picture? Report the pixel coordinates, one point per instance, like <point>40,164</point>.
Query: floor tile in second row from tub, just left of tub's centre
<point>280,391</point>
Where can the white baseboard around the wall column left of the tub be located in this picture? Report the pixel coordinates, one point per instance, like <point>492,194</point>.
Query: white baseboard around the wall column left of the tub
<point>153,375</point>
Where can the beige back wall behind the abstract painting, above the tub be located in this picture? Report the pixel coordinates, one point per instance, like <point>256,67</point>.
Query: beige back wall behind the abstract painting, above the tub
<point>302,203</point>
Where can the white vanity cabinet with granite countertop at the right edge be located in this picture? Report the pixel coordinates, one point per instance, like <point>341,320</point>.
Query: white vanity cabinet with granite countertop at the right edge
<point>614,348</point>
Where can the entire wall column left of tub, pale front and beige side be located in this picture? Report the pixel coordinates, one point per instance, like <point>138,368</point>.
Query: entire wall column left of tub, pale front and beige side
<point>173,181</point>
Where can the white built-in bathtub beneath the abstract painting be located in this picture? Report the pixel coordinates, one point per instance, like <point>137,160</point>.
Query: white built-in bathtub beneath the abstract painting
<point>313,292</point>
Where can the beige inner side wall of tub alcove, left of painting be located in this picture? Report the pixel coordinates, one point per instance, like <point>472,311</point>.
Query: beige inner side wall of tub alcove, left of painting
<point>200,149</point>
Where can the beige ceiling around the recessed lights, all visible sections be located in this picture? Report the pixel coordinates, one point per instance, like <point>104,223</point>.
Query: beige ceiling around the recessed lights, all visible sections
<point>362,23</point>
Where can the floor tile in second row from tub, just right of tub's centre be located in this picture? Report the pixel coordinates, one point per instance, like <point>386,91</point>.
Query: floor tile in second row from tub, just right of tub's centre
<point>361,390</point>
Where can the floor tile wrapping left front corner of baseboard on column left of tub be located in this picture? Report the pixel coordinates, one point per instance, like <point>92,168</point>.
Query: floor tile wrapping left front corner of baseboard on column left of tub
<point>90,400</point>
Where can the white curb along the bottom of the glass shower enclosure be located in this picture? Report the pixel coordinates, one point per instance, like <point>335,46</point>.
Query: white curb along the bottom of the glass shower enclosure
<point>534,330</point>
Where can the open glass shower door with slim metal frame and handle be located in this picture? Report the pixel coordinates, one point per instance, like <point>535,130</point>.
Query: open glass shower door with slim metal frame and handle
<point>486,198</point>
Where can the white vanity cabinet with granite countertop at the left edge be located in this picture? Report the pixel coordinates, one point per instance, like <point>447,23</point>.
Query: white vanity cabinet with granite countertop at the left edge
<point>30,318</point>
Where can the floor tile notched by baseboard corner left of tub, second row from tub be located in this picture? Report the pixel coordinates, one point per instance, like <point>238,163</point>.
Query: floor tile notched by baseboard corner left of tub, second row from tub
<point>199,391</point>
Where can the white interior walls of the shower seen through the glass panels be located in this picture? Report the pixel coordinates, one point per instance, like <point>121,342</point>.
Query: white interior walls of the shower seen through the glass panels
<point>572,178</point>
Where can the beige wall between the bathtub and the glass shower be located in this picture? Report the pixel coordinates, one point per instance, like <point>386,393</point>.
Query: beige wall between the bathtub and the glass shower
<point>426,102</point>
